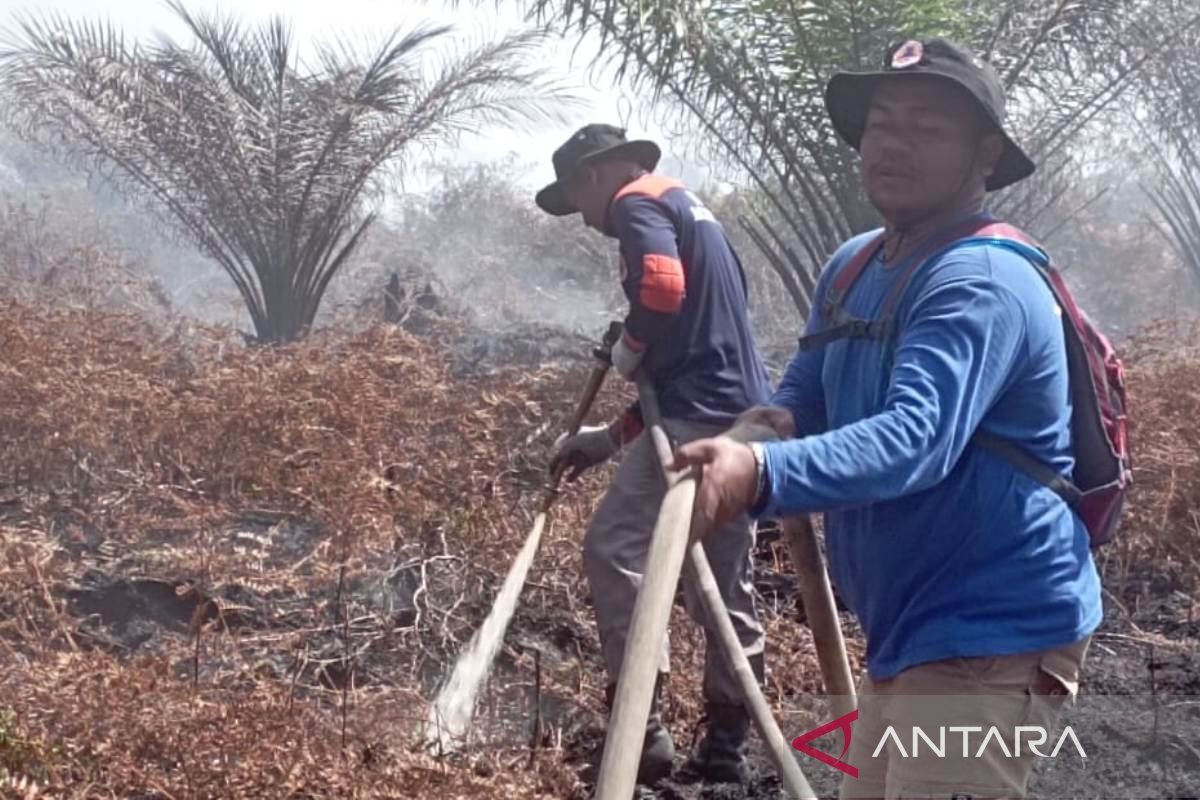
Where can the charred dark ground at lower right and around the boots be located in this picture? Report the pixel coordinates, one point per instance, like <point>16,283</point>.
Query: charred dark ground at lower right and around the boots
<point>1138,718</point>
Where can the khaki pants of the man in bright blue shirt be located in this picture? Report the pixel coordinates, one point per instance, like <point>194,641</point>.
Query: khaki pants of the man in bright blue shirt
<point>1017,696</point>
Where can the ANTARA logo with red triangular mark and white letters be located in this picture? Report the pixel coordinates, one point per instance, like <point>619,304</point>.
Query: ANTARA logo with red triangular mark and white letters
<point>1033,738</point>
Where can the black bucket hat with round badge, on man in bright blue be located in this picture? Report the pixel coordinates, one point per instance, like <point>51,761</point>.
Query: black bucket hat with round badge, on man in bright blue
<point>849,97</point>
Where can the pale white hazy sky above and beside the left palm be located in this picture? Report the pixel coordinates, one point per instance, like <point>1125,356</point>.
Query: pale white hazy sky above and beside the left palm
<point>315,20</point>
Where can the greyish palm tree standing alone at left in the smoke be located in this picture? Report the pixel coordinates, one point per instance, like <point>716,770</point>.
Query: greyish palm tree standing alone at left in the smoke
<point>268,163</point>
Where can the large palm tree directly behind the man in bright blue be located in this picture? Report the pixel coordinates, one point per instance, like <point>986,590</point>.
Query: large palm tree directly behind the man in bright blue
<point>749,76</point>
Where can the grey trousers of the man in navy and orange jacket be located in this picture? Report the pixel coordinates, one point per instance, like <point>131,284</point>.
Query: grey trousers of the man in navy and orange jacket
<point>615,552</point>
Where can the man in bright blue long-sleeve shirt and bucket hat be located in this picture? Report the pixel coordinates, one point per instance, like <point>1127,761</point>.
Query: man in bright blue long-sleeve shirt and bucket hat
<point>969,578</point>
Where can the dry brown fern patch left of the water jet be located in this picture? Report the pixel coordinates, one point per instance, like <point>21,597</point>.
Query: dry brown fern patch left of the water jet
<point>382,462</point>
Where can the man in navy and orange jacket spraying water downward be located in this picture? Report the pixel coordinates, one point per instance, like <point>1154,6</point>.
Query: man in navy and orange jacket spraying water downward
<point>688,332</point>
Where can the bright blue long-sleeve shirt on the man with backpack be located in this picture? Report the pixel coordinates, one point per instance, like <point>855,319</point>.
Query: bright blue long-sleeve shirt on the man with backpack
<point>941,549</point>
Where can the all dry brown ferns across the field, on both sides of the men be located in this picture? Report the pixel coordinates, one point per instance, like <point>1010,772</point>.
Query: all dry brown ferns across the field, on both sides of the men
<point>333,519</point>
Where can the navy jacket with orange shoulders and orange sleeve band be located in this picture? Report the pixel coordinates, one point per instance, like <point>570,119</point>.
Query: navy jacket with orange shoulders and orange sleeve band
<point>688,303</point>
